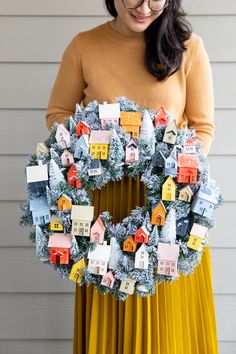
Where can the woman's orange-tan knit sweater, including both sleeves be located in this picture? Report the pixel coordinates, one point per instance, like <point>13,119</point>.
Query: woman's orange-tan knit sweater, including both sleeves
<point>102,64</point>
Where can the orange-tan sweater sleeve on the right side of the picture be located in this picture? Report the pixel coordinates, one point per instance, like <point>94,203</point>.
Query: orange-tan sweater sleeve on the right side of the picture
<point>199,108</point>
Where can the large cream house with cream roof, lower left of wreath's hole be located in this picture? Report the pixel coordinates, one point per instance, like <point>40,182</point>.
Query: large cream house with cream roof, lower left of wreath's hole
<point>81,216</point>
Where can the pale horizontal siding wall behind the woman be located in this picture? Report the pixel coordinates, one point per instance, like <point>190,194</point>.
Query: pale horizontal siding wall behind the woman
<point>36,306</point>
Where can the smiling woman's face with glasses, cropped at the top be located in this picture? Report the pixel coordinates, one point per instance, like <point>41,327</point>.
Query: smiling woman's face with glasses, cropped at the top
<point>134,21</point>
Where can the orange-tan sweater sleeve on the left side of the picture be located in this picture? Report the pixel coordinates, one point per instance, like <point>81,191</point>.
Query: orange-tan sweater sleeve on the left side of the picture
<point>68,87</point>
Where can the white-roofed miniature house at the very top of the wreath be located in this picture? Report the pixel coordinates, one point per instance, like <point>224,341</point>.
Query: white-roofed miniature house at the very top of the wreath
<point>109,113</point>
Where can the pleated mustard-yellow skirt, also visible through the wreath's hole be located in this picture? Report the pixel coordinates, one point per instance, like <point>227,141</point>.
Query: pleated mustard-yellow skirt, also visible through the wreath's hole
<point>178,319</point>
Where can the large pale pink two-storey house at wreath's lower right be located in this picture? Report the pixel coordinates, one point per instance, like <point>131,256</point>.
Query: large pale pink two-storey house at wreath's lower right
<point>167,260</point>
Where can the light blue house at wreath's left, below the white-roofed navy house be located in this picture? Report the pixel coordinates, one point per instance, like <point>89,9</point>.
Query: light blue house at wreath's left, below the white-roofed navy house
<point>40,210</point>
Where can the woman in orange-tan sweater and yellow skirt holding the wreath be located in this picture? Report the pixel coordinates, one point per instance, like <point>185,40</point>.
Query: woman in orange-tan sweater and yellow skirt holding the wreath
<point>148,54</point>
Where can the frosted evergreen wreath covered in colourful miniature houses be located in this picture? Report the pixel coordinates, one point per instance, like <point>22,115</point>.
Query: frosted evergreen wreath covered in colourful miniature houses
<point>102,143</point>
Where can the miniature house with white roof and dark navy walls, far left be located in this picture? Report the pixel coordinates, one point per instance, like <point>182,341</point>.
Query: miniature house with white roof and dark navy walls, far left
<point>37,177</point>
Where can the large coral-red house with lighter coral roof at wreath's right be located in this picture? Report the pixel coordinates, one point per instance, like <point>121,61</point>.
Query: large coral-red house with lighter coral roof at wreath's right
<point>188,167</point>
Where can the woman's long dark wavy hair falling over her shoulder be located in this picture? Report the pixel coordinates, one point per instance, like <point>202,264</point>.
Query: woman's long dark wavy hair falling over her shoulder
<point>164,39</point>
